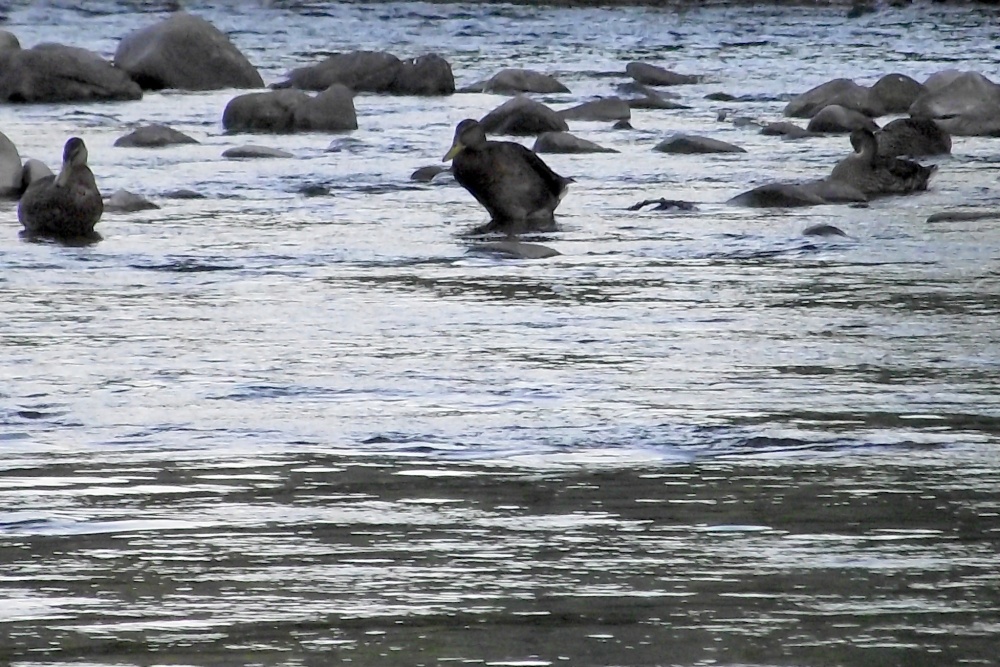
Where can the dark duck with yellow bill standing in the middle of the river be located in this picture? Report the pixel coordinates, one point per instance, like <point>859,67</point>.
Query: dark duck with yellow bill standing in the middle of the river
<point>514,185</point>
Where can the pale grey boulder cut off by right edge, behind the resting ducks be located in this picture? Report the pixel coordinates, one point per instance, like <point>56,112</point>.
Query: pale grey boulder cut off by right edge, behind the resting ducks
<point>961,103</point>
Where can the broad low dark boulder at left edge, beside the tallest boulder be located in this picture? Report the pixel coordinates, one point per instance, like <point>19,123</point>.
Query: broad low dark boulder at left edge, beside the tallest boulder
<point>58,73</point>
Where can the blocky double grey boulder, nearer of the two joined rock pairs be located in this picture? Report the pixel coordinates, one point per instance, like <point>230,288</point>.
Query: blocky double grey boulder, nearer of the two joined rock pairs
<point>284,111</point>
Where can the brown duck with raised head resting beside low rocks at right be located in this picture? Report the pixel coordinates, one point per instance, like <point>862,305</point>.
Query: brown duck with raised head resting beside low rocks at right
<point>874,174</point>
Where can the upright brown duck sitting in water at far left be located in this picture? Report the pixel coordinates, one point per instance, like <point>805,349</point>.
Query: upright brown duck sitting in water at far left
<point>67,205</point>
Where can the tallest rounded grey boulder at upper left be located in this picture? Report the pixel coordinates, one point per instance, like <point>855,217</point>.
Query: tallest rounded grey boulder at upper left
<point>187,53</point>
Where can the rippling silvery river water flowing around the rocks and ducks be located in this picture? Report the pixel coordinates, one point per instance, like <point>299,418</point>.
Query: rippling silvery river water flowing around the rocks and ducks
<point>270,429</point>
